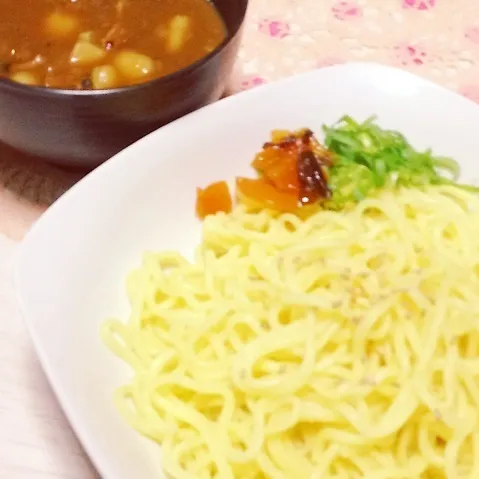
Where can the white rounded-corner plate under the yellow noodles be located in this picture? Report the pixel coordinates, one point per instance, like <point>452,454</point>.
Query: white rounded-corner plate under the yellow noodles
<point>71,269</point>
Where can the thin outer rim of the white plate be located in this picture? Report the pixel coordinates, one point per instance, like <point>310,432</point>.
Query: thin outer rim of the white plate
<point>119,161</point>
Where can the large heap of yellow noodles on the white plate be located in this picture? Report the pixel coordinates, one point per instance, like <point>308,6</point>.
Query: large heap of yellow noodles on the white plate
<point>342,346</point>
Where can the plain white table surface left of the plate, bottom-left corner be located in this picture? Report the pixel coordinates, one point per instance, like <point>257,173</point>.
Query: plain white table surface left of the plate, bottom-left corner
<point>35,438</point>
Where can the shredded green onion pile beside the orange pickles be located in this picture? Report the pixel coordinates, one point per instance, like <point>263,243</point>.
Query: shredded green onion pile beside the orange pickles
<point>369,158</point>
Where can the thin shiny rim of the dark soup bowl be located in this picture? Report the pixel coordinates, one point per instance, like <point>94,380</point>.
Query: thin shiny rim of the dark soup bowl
<point>9,85</point>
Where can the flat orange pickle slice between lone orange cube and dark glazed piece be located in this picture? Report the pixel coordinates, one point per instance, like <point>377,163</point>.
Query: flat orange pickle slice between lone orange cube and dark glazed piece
<point>258,193</point>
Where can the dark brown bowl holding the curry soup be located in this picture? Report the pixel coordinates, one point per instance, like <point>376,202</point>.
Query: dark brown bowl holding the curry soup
<point>84,128</point>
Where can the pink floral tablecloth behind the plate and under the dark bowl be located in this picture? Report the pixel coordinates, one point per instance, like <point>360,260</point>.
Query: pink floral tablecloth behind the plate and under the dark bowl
<point>438,39</point>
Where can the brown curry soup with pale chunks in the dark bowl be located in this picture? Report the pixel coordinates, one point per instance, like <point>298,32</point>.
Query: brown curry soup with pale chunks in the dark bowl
<point>97,44</point>
